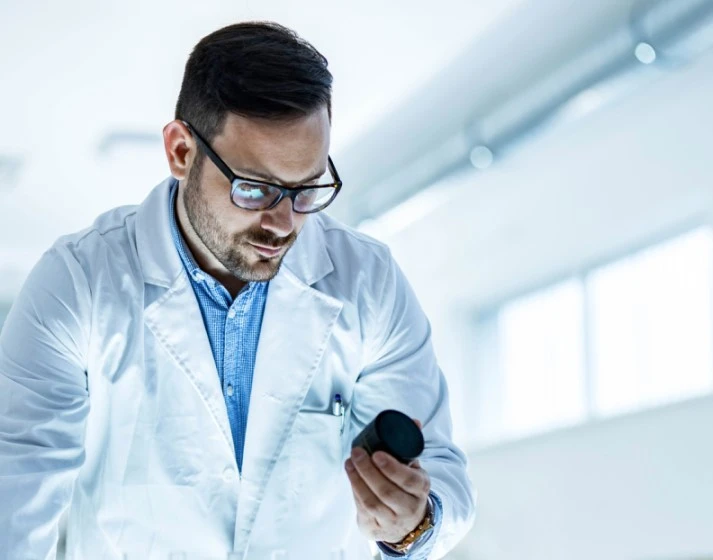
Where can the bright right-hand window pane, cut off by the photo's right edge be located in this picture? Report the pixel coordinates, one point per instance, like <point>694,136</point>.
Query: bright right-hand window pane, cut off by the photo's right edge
<point>650,324</point>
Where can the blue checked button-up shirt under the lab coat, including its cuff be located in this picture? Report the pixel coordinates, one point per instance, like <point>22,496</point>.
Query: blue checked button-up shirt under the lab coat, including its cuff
<point>233,328</point>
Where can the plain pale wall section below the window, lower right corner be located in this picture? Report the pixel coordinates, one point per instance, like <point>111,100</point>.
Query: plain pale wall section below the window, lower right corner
<point>634,487</point>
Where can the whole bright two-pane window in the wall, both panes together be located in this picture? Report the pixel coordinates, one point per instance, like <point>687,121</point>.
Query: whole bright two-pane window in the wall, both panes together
<point>633,333</point>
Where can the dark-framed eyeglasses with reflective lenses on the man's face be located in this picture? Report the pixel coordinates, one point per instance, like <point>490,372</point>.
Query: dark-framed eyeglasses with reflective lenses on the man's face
<point>250,194</point>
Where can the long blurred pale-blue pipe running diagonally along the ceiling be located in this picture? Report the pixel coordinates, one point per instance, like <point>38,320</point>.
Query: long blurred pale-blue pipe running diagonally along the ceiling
<point>674,30</point>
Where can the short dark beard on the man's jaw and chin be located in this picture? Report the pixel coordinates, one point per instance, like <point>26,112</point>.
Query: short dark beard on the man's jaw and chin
<point>232,251</point>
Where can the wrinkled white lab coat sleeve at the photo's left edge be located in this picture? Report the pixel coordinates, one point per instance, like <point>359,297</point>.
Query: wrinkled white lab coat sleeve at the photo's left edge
<point>43,404</point>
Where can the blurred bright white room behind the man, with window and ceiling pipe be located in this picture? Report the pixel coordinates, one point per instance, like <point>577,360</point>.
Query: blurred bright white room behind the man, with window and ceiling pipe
<point>543,173</point>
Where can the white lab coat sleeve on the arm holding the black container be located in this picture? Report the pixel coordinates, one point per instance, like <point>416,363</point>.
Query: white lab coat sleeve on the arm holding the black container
<point>401,372</point>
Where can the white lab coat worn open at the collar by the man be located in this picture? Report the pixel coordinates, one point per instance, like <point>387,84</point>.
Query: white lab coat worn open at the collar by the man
<point>111,406</point>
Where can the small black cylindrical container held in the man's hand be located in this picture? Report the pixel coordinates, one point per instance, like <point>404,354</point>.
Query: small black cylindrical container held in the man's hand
<point>393,432</point>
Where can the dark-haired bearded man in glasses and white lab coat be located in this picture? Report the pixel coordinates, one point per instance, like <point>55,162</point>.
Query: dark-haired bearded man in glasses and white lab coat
<point>173,377</point>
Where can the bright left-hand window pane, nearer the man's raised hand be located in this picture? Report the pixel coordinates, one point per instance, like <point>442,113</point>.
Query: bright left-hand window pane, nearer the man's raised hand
<point>530,365</point>
